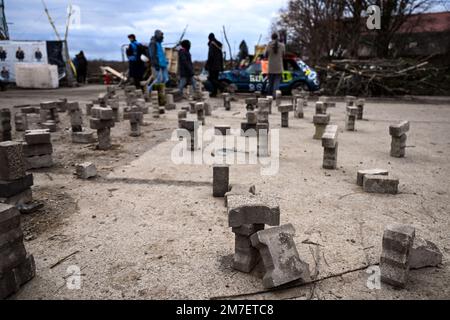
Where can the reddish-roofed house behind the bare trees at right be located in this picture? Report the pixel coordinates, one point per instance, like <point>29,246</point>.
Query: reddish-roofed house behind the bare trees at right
<point>421,35</point>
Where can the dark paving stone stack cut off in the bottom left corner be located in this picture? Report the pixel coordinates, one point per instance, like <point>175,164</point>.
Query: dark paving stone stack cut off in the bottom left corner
<point>17,267</point>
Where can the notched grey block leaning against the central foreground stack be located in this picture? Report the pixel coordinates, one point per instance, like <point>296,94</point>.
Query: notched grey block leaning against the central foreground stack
<point>280,256</point>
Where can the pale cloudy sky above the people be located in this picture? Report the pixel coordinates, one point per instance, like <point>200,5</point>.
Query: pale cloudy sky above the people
<point>106,23</point>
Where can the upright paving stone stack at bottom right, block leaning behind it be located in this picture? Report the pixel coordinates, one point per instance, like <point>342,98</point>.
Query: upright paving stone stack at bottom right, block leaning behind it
<point>395,257</point>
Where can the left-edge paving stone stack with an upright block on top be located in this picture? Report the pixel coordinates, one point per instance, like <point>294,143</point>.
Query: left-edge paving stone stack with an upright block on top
<point>15,183</point>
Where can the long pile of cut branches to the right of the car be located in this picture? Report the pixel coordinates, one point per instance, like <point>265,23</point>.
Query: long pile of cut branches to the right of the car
<point>384,77</point>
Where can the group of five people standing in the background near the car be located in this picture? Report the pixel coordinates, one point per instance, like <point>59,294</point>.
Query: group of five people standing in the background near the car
<point>214,65</point>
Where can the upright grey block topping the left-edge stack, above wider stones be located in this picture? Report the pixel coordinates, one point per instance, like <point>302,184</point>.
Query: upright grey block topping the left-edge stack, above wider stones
<point>12,163</point>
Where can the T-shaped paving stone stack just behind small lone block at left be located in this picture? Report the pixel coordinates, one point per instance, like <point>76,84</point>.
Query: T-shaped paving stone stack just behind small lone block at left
<point>102,120</point>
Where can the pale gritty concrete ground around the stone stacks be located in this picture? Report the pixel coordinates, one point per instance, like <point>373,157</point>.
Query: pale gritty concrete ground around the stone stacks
<point>150,229</point>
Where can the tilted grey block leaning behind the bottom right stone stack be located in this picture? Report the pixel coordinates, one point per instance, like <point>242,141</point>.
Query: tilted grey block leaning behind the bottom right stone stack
<point>424,254</point>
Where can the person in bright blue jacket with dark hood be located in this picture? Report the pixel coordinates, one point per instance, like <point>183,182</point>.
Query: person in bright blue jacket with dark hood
<point>158,59</point>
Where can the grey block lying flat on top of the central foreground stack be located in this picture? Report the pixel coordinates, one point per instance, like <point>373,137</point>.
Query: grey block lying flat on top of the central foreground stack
<point>250,209</point>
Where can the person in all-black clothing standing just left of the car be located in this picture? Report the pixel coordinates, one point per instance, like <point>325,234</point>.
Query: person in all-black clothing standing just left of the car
<point>214,65</point>
